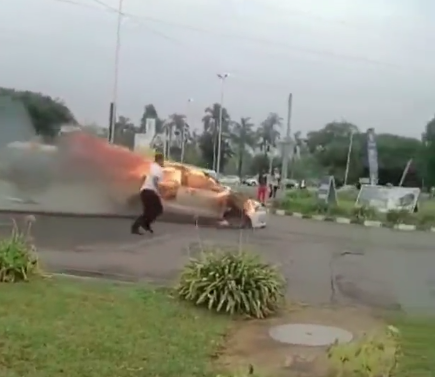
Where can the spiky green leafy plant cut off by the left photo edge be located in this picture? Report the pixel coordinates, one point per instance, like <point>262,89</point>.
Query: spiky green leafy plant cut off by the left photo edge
<point>17,257</point>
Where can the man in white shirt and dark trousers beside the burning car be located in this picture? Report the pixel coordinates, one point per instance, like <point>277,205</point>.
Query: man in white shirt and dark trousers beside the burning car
<point>150,197</point>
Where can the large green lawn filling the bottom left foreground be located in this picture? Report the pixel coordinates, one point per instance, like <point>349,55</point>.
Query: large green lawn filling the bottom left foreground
<point>75,328</point>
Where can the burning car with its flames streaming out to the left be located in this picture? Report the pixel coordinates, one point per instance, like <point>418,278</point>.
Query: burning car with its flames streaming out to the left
<point>187,191</point>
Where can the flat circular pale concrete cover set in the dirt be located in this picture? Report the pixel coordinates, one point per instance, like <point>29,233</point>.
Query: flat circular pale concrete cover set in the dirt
<point>309,335</point>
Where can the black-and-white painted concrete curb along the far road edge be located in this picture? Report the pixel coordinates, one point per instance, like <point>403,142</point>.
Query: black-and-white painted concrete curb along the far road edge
<point>347,221</point>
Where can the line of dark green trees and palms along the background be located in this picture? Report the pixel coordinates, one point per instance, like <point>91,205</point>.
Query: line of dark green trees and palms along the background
<point>247,147</point>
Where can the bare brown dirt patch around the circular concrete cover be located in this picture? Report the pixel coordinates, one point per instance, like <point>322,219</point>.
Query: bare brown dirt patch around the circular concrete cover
<point>250,346</point>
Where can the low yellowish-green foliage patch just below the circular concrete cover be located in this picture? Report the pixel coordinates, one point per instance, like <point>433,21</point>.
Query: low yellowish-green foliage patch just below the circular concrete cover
<point>369,356</point>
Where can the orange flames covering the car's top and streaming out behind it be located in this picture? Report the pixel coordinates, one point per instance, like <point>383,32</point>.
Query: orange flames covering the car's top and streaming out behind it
<point>125,170</point>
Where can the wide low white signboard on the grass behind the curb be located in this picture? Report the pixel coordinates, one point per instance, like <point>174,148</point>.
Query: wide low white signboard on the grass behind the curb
<point>385,199</point>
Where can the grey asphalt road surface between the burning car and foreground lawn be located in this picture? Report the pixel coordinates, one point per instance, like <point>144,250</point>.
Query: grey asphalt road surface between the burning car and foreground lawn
<point>323,262</point>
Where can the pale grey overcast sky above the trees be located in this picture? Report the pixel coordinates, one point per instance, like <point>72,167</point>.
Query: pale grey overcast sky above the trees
<point>368,62</point>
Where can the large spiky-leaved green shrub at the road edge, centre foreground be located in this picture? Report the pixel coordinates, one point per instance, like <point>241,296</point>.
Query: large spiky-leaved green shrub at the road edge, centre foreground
<point>232,282</point>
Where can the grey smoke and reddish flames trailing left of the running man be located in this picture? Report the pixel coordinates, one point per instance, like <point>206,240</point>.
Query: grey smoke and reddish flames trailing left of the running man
<point>80,174</point>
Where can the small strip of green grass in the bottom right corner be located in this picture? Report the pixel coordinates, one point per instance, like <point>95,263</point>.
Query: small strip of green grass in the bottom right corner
<point>418,343</point>
